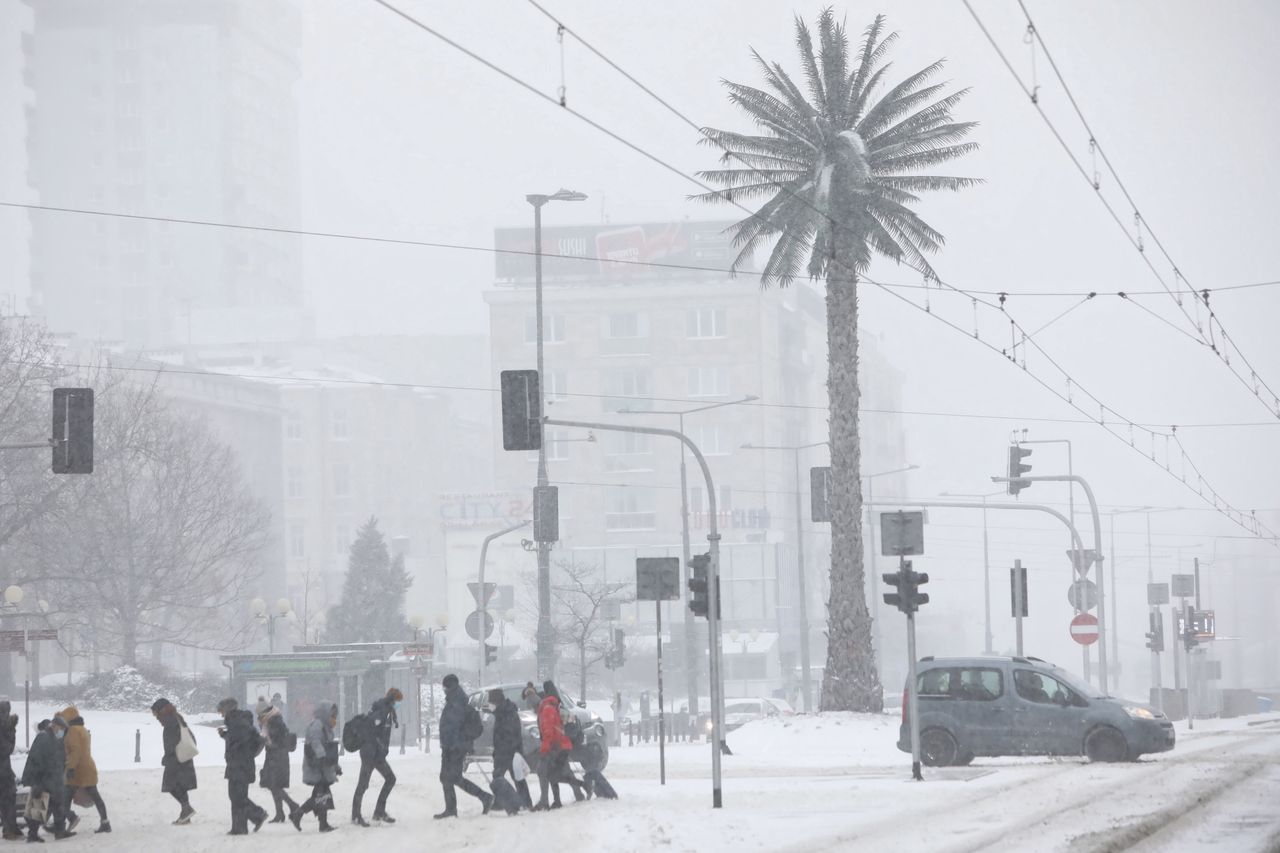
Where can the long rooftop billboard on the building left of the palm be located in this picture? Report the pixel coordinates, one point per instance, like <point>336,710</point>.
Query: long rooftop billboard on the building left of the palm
<point>644,252</point>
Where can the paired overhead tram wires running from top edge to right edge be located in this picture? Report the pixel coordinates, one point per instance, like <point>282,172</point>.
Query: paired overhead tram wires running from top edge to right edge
<point>1255,384</point>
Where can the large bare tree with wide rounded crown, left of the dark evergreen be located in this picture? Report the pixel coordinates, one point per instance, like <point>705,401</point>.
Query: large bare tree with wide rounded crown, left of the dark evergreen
<point>162,544</point>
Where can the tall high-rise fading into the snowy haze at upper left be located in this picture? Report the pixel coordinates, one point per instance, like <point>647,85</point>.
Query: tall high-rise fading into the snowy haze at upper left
<point>164,110</point>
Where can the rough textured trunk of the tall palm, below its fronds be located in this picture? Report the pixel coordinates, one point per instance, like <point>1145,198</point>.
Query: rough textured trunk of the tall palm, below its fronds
<point>851,682</point>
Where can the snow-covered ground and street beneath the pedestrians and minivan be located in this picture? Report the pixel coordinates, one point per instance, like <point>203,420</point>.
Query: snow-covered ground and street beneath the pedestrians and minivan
<point>828,783</point>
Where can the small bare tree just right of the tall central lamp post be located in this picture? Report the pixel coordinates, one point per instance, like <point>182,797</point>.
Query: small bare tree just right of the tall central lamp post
<point>578,599</point>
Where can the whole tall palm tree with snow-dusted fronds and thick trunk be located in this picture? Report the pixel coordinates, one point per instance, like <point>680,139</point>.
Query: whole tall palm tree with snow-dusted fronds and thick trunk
<point>838,172</point>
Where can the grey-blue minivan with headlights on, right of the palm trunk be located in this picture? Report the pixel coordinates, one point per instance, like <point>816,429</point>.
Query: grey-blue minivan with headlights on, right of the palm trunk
<point>1023,706</point>
